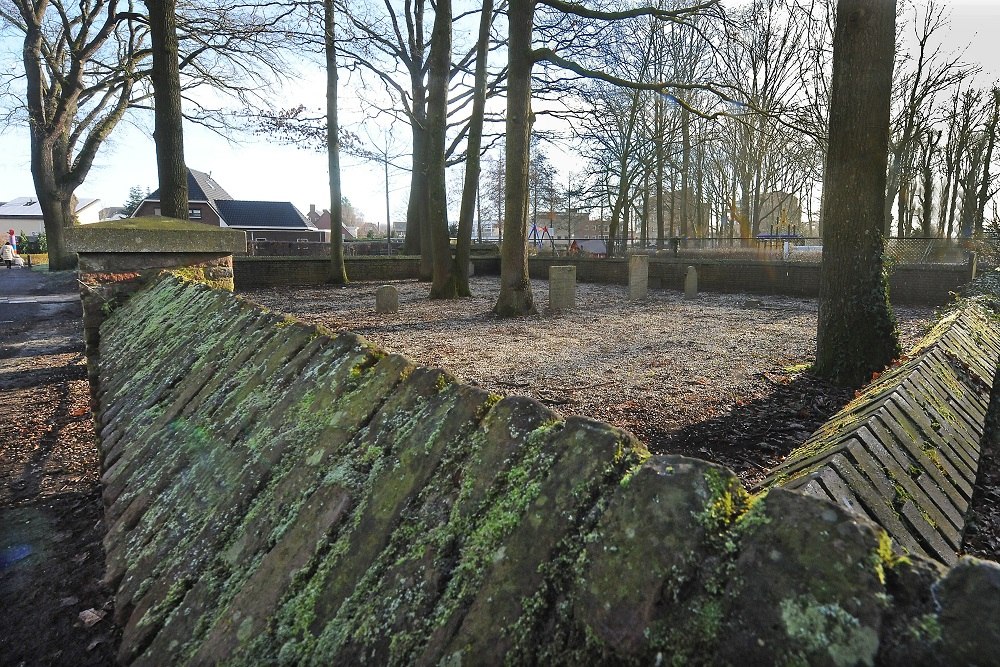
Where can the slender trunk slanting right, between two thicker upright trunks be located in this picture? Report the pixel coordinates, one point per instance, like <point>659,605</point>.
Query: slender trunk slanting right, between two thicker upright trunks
<point>472,160</point>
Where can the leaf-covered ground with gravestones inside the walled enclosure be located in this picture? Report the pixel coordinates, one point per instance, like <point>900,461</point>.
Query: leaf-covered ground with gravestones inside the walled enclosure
<point>722,377</point>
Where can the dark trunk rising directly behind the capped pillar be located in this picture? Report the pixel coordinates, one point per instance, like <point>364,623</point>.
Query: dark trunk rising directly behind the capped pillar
<point>168,132</point>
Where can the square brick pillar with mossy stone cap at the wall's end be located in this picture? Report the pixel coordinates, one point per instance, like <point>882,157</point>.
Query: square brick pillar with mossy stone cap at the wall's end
<point>118,257</point>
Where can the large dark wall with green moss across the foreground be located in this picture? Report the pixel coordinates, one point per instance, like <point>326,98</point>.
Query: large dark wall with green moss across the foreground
<point>280,494</point>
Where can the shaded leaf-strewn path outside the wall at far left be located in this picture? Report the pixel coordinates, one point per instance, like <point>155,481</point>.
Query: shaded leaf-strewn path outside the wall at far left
<point>51,512</point>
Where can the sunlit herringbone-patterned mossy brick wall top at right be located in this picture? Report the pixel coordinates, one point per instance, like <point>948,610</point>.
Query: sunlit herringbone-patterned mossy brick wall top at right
<point>906,451</point>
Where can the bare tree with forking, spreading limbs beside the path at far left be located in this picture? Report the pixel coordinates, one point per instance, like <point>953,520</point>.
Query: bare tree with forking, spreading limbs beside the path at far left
<point>78,70</point>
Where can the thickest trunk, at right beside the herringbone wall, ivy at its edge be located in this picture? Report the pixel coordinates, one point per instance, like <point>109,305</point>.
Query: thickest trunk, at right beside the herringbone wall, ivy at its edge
<point>856,333</point>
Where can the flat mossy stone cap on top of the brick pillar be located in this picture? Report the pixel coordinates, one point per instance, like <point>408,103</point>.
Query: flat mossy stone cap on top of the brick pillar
<point>153,234</point>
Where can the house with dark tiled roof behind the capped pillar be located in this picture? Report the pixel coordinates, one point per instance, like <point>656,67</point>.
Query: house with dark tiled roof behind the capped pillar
<point>210,204</point>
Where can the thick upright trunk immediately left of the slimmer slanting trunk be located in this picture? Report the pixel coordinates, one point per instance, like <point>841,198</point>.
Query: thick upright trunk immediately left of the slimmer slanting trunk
<point>443,286</point>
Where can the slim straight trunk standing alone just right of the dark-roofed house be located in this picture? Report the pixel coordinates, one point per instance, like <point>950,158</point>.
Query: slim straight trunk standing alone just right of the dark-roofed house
<point>338,271</point>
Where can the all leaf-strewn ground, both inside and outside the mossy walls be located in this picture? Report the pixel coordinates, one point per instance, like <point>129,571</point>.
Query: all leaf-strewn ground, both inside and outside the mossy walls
<point>720,377</point>
